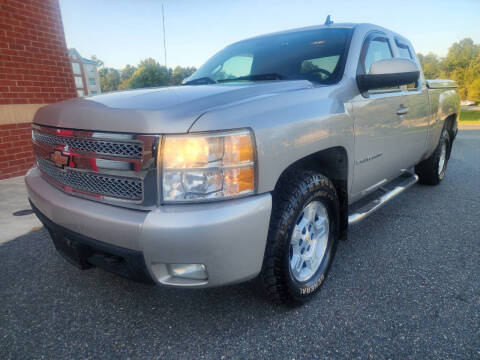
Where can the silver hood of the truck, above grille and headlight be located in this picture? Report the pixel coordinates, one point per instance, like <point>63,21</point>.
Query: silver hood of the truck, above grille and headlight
<point>155,110</point>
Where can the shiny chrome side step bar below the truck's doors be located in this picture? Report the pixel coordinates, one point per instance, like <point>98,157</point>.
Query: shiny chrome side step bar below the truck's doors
<point>388,194</point>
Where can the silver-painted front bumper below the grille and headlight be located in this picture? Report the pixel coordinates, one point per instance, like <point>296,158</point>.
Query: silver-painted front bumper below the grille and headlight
<point>228,237</point>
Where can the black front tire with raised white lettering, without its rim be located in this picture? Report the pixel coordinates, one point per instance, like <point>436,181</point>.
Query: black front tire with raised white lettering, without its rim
<point>293,193</point>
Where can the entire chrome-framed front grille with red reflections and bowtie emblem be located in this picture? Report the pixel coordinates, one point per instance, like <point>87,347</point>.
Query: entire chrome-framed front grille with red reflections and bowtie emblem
<point>108,167</point>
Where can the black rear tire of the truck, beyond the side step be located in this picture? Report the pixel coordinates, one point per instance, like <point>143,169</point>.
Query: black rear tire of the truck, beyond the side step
<point>428,170</point>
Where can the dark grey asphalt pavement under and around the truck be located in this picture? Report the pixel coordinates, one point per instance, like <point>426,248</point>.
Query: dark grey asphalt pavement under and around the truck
<point>405,285</point>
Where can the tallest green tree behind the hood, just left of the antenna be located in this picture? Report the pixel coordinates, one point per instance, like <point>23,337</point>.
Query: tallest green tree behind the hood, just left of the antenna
<point>149,73</point>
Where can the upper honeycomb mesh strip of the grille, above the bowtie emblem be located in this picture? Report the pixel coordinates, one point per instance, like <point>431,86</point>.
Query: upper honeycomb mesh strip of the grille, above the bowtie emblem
<point>107,148</point>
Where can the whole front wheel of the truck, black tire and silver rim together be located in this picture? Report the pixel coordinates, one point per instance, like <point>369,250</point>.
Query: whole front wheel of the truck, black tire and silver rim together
<point>302,237</point>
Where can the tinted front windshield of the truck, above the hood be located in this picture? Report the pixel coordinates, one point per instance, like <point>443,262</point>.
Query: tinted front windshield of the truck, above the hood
<point>315,55</point>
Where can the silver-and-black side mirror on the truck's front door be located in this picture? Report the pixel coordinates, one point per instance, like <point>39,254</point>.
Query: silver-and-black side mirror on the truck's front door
<point>388,73</point>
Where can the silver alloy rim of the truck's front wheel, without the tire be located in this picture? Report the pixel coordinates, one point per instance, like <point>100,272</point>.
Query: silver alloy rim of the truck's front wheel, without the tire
<point>309,240</point>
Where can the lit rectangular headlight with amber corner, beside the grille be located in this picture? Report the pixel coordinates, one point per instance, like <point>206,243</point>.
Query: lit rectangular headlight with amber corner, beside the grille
<point>198,167</point>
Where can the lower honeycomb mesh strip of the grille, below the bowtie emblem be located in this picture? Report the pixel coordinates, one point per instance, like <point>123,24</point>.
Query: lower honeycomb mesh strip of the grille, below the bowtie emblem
<point>122,188</point>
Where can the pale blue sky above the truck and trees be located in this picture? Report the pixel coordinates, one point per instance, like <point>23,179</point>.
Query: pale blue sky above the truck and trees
<point>121,32</point>
